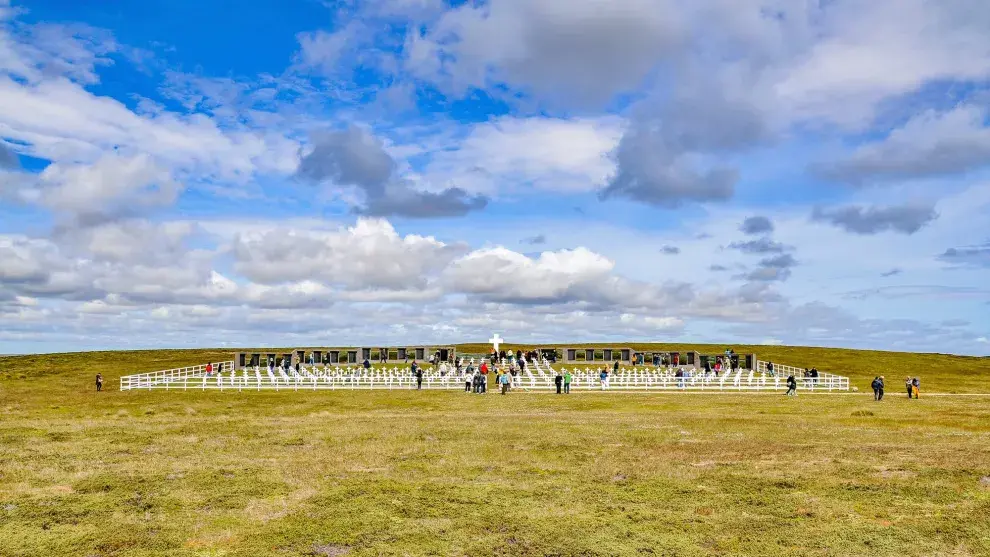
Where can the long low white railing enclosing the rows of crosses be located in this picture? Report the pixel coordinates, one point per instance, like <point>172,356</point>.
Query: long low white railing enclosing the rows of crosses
<point>538,377</point>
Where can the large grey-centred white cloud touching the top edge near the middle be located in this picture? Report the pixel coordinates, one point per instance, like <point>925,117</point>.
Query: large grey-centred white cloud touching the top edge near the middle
<point>585,51</point>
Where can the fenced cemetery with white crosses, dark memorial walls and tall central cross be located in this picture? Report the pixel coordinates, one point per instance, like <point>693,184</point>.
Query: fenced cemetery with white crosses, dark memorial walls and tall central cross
<point>389,368</point>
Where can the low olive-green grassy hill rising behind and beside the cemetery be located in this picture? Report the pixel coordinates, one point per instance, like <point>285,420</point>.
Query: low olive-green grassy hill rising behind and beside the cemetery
<point>939,372</point>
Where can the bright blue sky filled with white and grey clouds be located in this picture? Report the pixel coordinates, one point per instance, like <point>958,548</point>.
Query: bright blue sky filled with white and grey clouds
<point>304,173</point>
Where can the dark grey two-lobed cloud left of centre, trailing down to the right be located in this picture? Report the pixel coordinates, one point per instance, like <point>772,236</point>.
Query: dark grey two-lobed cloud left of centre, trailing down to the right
<point>353,157</point>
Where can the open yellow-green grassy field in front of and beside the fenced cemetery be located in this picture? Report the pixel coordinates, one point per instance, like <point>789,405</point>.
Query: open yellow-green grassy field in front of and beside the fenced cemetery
<point>447,473</point>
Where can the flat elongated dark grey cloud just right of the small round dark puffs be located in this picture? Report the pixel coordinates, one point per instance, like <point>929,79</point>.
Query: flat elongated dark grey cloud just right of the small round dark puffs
<point>906,219</point>
